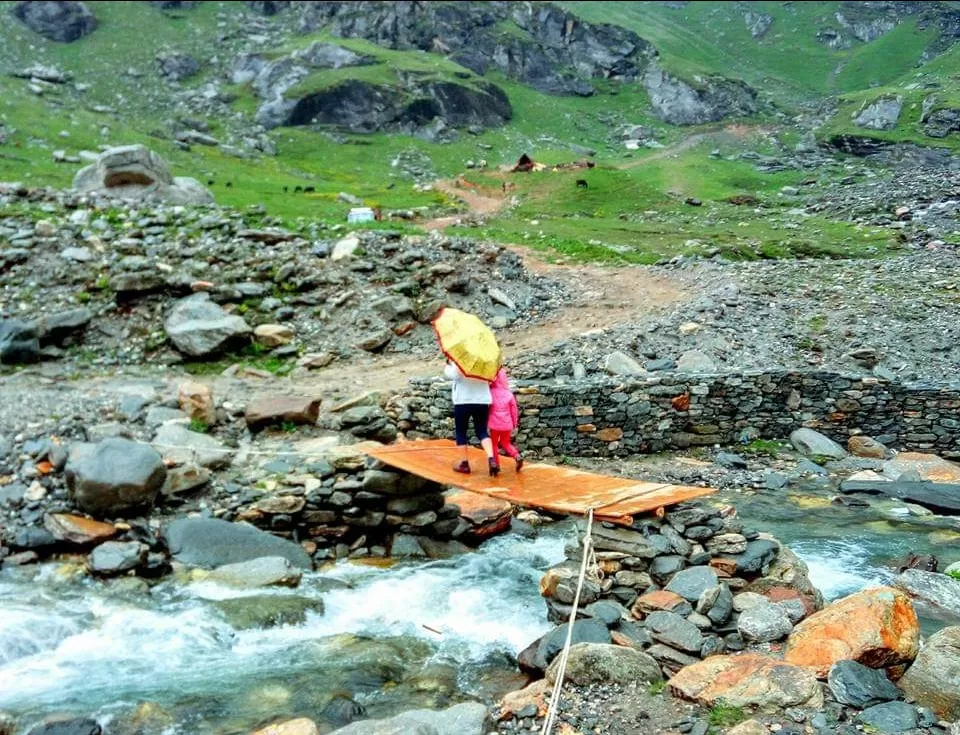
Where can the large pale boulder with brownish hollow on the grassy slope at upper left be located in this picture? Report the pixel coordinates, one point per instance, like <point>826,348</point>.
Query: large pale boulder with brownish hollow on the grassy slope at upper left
<point>136,172</point>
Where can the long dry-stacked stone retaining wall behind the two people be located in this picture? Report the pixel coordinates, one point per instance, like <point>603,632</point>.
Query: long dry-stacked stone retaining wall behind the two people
<point>619,417</point>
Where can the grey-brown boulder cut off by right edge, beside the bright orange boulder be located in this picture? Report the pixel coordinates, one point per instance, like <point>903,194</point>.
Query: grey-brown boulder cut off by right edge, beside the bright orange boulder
<point>934,678</point>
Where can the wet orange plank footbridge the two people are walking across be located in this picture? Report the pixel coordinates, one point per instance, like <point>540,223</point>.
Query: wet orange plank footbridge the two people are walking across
<point>548,487</point>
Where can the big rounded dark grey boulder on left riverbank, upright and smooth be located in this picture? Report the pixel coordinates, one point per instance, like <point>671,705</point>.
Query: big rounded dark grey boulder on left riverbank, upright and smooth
<point>114,477</point>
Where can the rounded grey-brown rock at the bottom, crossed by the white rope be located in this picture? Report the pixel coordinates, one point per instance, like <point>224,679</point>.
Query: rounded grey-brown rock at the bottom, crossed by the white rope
<point>599,663</point>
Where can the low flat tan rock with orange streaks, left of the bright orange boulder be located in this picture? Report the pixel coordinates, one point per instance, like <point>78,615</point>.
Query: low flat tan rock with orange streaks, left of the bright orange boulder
<point>749,680</point>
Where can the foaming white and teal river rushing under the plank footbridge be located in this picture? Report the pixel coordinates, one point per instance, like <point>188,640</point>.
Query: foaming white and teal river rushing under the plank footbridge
<point>418,634</point>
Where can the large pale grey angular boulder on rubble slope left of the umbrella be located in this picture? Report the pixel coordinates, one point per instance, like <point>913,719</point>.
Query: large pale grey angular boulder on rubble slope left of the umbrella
<point>198,327</point>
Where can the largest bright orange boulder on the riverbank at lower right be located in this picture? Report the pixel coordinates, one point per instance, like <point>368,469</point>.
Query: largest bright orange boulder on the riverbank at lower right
<point>877,627</point>
